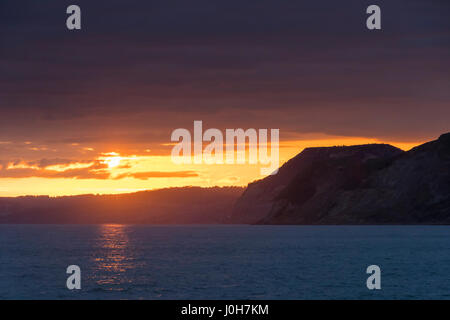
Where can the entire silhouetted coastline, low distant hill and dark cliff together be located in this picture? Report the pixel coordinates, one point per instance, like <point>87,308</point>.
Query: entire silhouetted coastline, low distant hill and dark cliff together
<point>365,184</point>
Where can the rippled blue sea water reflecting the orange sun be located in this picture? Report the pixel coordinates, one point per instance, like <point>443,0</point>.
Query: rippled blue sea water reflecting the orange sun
<point>224,262</point>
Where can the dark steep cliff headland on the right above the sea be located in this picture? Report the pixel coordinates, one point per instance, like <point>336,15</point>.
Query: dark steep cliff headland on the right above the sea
<point>367,184</point>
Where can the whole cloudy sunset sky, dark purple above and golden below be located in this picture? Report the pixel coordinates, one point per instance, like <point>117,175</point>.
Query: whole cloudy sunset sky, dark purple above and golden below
<point>92,110</point>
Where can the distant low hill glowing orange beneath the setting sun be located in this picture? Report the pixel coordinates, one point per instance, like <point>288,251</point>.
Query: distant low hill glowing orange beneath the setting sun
<point>188,205</point>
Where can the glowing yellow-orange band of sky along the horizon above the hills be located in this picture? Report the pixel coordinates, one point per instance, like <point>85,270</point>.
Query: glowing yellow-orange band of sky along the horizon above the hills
<point>113,172</point>
